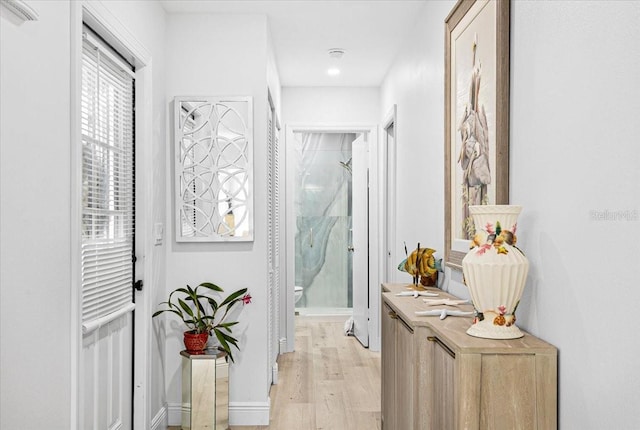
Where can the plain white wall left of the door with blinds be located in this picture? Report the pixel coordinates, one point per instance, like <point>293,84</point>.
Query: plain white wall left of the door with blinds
<point>35,230</point>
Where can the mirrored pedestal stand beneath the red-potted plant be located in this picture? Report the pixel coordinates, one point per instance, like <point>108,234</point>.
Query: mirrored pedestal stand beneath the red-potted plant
<point>205,391</point>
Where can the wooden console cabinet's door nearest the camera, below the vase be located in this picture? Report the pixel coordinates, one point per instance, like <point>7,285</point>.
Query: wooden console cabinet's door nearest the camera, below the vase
<point>443,387</point>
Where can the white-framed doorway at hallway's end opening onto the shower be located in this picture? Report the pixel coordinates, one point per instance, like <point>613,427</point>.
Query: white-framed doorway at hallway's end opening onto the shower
<point>324,249</point>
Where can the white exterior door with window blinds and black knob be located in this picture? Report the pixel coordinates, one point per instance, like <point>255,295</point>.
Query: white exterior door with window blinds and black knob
<point>107,109</point>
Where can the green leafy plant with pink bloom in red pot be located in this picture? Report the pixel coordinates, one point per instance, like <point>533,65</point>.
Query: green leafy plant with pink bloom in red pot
<point>204,315</point>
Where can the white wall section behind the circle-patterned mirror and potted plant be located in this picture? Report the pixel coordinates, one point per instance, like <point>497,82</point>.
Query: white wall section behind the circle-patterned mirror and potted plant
<point>211,55</point>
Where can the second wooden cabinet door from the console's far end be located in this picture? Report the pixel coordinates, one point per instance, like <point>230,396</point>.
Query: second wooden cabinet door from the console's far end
<point>405,362</point>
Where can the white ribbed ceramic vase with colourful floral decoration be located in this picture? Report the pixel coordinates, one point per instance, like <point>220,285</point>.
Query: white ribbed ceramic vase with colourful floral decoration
<point>495,271</point>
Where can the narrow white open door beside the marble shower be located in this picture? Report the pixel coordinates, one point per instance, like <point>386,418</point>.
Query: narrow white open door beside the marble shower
<point>360,244</point>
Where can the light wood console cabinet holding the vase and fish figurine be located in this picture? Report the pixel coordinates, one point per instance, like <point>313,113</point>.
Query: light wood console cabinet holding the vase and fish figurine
<point>435,376</point>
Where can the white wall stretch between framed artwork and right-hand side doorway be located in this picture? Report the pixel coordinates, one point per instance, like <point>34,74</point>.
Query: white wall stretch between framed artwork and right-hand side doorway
<point>415,83</point>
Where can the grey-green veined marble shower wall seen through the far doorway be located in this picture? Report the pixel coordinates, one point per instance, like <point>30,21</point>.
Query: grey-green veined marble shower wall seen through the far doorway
<point>323,219</point>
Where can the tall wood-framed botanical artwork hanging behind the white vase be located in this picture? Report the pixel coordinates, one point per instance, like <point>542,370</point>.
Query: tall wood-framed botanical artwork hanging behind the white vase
<point>476,117</point>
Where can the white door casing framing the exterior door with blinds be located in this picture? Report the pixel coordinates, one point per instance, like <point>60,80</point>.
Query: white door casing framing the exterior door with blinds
<point>100,18</point>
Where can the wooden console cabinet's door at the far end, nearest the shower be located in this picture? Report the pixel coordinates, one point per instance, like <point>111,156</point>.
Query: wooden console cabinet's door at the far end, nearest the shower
<point>388,365</point>
